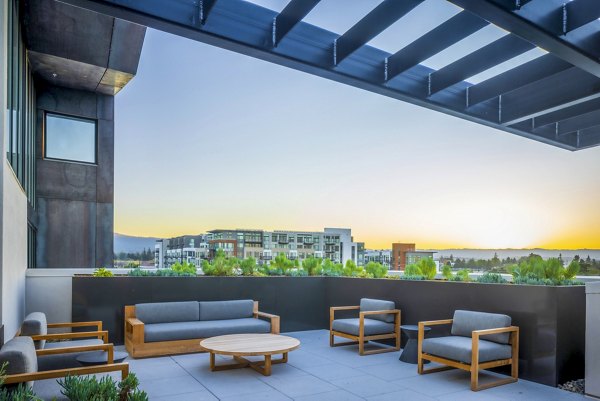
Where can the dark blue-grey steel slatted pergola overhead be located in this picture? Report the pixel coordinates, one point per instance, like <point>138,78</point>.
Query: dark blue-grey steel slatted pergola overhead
<point>554,98</point>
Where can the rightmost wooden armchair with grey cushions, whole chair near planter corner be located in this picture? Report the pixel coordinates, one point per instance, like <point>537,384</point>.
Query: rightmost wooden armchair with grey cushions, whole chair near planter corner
<point>472,354</point>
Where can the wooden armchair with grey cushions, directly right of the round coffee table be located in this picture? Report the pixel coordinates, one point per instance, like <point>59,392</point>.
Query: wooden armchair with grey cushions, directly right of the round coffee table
<point>378,320</point>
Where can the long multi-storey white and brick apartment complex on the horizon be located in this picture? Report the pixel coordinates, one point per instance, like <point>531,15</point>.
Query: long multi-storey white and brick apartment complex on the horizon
<point>336,244</point>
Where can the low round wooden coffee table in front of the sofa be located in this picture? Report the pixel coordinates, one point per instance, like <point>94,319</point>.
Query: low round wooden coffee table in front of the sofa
<point>241,345</point>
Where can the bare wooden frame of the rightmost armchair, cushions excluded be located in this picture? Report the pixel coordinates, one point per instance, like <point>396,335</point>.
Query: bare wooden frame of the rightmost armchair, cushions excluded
<point>474,367</point>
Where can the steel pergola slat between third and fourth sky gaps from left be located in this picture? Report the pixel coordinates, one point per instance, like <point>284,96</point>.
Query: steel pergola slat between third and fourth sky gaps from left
<point>443,36</point>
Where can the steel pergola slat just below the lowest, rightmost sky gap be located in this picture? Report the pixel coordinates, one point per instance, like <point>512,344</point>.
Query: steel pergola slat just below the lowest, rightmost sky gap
<point>534,70</point>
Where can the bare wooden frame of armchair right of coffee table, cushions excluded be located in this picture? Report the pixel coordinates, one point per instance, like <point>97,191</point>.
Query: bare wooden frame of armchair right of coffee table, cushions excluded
<point>361,338</point>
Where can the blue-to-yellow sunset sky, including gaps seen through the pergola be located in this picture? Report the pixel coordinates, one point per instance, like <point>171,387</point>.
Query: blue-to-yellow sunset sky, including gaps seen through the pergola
<point>207,138</point>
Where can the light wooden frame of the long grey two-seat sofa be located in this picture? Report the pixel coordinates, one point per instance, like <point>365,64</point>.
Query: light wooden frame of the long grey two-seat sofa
<point>138,348</point>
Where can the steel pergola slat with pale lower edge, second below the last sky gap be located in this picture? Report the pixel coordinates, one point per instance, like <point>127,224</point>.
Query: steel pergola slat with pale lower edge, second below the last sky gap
<point>569,88</point>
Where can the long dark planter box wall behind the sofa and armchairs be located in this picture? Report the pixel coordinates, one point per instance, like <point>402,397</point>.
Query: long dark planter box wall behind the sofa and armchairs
<point>551,319</point>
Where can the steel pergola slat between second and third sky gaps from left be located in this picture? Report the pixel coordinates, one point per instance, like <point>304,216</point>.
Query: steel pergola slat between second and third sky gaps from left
<point>377,21</point>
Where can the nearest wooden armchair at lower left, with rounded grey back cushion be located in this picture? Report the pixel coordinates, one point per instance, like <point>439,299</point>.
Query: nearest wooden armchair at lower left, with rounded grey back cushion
<point>21,356</point>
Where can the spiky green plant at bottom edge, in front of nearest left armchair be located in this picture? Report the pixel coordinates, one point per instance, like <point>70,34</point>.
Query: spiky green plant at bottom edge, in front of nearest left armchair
<point>89,388</point>
